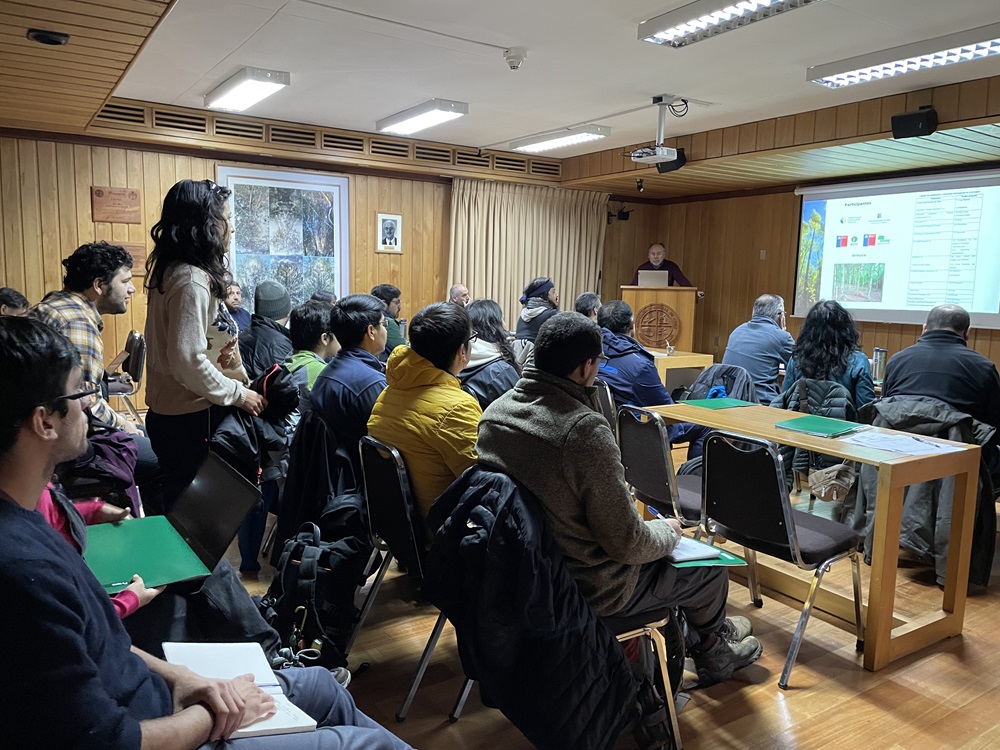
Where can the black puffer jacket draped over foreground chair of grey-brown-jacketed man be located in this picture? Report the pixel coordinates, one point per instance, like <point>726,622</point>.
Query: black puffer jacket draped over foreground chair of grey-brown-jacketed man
<point>525,632</point>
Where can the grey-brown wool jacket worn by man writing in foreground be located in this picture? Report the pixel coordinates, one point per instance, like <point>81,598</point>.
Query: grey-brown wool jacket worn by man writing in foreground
<point>547,434</point>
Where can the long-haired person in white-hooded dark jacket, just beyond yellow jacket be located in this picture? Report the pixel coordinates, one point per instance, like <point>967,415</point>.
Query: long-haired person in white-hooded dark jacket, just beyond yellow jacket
<point>492,368</point>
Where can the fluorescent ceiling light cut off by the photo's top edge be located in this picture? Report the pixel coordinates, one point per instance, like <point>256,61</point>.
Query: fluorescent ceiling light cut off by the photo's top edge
<point>707,18</point>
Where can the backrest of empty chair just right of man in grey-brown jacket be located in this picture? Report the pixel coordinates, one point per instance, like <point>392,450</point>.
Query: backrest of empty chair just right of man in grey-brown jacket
<point>649,467</point>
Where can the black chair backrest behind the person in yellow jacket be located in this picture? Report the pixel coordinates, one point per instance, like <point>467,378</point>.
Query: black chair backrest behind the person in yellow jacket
<point>392,513</point>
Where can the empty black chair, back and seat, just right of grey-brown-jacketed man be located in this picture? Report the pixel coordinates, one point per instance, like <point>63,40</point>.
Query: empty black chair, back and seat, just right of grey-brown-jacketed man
<point>649,467</point>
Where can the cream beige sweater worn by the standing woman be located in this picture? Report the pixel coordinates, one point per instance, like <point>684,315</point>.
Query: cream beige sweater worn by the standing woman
<point>192,354</point>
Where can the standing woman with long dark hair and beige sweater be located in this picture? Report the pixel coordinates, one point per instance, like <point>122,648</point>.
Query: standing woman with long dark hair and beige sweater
<point>193,358</point>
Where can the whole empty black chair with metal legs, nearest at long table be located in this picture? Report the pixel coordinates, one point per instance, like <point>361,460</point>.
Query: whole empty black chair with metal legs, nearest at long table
<point>745,499</point>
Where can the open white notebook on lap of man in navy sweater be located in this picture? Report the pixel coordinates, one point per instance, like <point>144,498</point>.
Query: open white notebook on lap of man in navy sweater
<point>229,660</point>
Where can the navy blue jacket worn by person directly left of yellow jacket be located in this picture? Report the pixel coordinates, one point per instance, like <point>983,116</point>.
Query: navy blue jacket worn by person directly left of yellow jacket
<point>344,394</point>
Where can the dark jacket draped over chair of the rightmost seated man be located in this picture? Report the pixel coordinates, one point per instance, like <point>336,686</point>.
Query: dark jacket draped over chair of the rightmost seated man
<point>926,525</point>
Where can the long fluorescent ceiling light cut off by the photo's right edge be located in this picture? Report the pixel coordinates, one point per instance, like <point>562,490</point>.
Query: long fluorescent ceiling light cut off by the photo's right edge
<point>973,44</point>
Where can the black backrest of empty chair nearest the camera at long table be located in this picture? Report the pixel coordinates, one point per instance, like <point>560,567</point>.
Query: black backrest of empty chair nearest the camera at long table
<point>743,489</point>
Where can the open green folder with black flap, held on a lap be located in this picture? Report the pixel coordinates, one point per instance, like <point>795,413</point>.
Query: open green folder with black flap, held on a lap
<point>188,543</point>
